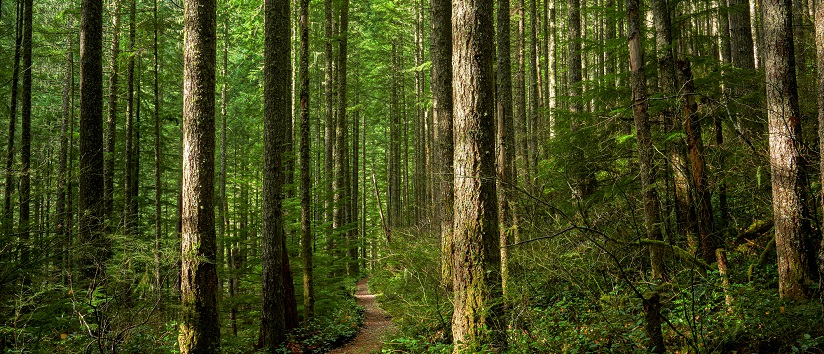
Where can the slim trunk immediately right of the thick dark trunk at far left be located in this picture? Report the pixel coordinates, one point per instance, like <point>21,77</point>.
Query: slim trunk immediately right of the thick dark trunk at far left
<point>111,121</point>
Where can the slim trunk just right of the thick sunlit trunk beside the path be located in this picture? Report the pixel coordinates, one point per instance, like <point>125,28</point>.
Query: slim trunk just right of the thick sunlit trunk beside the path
<point>504,138</point>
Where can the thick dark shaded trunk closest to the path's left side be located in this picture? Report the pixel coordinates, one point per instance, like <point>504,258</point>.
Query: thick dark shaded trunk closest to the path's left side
<point>276,112</point>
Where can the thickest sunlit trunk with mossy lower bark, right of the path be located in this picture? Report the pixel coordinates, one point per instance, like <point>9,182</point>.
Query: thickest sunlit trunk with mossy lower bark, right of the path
<point>477,317</point>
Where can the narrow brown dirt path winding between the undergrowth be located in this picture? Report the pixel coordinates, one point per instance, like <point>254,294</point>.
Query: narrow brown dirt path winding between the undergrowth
<point>376,324</point>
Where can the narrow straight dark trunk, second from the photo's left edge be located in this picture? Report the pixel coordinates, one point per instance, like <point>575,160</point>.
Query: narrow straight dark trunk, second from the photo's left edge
<point>25,136</point>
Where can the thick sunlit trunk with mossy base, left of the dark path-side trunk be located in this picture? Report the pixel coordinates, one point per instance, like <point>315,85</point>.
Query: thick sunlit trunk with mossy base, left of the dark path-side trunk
<point>199,329</point>
